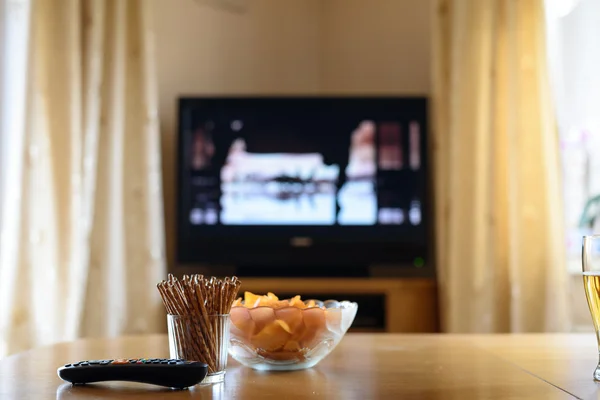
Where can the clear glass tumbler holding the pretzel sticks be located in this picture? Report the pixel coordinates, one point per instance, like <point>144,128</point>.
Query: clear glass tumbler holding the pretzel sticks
<point>201,338</point>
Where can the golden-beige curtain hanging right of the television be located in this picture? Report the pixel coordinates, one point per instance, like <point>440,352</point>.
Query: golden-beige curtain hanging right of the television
<point>498,201</point>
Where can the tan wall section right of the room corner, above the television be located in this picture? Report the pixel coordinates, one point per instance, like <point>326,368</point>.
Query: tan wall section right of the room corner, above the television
<point>379,46</point>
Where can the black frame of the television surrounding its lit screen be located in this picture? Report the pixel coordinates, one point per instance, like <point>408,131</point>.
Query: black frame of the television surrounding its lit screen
<point>274,253</point>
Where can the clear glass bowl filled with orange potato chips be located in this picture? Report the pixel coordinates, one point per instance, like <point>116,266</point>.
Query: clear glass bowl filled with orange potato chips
<point>288,338</point>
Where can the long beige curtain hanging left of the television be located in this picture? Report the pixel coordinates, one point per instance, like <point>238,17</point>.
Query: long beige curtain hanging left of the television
<point>82,235</point>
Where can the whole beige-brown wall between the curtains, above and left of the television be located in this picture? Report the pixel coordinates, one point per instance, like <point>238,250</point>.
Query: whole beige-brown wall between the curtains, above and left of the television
<point>284,47</point>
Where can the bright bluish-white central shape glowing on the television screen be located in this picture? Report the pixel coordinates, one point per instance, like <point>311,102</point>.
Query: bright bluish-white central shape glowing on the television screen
<point>296,189</point>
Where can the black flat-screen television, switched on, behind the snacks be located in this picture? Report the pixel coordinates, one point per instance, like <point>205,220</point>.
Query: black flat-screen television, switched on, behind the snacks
<point>302,185</point>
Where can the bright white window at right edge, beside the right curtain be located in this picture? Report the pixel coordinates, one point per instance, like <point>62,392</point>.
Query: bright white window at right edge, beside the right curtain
<point>573,29</point>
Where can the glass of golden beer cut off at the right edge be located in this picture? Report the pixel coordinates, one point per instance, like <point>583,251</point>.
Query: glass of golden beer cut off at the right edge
<point>591,283</point>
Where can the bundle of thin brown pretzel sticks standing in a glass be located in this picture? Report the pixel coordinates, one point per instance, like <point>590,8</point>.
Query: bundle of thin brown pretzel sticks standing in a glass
<point>199,305</point>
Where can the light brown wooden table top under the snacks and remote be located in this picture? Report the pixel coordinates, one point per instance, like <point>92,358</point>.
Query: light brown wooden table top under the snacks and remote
<point>363,366</point>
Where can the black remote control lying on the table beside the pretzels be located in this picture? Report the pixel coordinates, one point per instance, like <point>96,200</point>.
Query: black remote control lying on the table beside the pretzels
<point>172,373</point>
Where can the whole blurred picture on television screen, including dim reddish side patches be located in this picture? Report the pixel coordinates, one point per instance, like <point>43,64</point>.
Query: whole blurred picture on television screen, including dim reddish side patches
<point>301,187</point>
